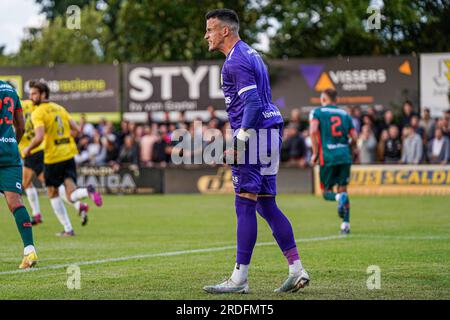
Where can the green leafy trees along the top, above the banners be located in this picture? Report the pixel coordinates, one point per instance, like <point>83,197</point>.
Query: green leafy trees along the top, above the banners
<point>172,30</point>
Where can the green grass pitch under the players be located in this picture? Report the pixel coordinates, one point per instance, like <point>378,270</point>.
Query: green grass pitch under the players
<point>140,247</point>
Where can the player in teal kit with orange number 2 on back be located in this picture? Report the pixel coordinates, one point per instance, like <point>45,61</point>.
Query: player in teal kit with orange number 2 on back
<point>330,130</point>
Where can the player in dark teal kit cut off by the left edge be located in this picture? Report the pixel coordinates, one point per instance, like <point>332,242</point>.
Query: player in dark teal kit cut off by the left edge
<point>11,168</point>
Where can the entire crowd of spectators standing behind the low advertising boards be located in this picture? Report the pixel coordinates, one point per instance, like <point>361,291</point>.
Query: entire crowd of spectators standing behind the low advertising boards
<point>408,138</point>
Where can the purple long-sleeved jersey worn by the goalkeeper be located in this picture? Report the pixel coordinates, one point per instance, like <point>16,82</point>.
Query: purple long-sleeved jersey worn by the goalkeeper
<point>242,71</point>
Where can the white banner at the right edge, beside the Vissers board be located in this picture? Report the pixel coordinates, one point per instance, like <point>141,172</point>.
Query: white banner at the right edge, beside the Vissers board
<point>435,82</point>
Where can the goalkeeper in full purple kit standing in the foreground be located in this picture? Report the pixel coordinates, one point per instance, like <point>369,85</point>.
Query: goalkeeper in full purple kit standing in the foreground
<point>248,99</point>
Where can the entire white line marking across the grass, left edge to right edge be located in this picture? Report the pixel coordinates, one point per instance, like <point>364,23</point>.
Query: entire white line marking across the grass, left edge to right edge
<point>183,252</point>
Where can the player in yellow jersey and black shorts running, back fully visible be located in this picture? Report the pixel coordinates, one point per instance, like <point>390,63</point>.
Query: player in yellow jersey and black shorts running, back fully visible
<point>55,127</point>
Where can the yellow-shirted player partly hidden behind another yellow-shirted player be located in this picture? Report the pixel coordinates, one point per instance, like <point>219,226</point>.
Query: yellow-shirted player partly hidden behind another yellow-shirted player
<point>33,165</point>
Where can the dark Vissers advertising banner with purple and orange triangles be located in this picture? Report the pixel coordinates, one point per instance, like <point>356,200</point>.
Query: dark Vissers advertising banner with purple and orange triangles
<point>378,81</point>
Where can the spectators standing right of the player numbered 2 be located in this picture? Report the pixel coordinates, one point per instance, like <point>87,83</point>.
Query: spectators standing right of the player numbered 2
<point>408,139</point>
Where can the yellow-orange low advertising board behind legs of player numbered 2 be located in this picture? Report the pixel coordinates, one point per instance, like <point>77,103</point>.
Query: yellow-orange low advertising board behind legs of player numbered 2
<point>394,180</point>
